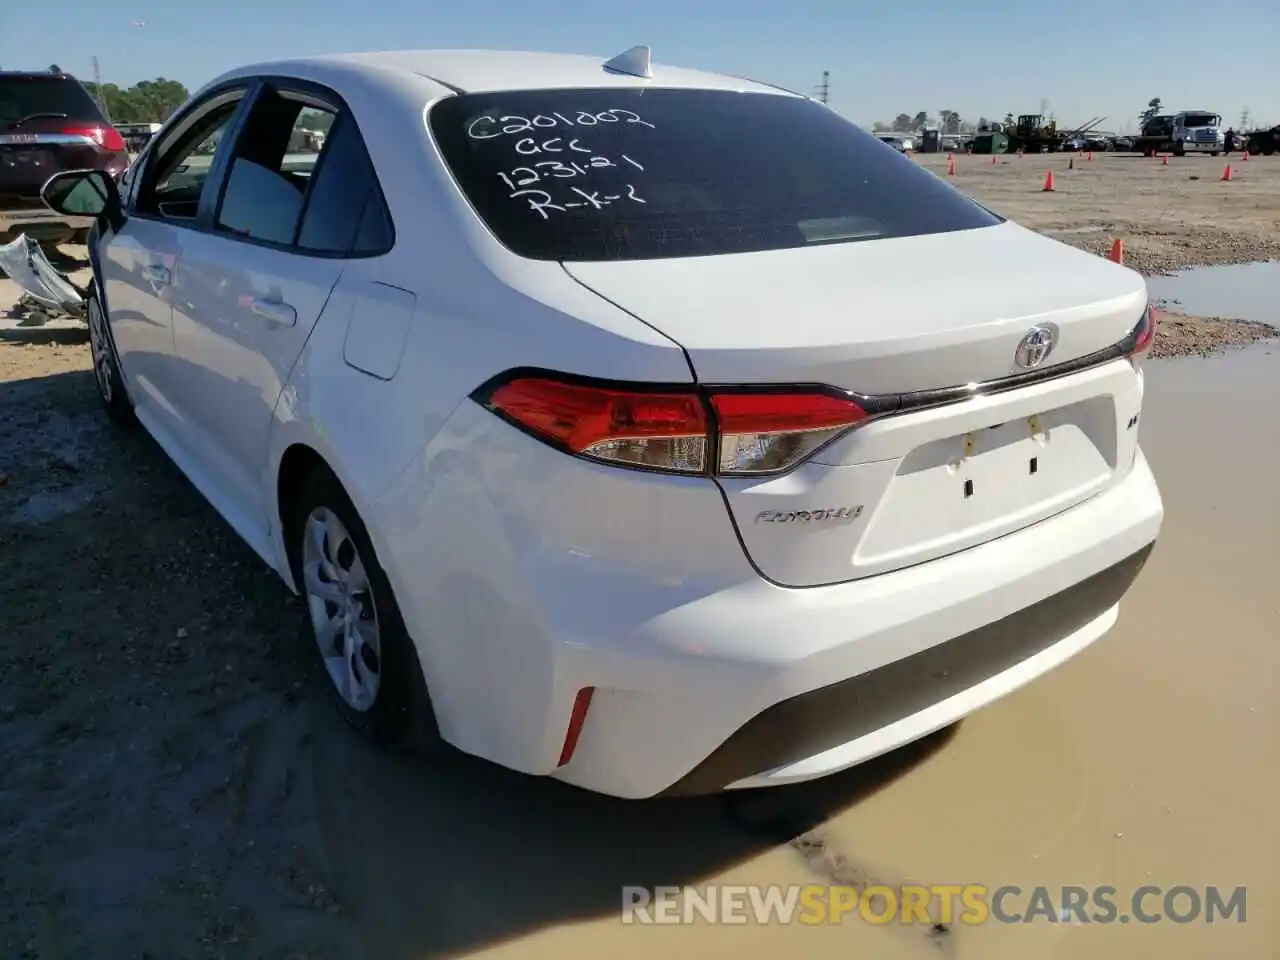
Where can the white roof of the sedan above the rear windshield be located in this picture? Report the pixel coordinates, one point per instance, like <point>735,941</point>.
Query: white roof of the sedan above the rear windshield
<point>491,71</point>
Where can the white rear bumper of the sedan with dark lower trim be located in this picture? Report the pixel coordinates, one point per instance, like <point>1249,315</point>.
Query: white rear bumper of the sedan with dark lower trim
<point>524,587</point>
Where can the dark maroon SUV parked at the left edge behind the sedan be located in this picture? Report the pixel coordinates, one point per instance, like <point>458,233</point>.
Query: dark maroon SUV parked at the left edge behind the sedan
<point>49,124</point>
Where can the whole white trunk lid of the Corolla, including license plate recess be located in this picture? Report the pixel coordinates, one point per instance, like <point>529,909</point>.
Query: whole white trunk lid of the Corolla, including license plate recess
<point>897,317</point>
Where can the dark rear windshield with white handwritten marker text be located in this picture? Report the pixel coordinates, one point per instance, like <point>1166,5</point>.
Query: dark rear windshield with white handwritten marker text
<point>642,175</point>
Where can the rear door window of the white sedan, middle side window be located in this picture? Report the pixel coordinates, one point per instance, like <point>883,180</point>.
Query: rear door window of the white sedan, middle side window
<point>271,168</point>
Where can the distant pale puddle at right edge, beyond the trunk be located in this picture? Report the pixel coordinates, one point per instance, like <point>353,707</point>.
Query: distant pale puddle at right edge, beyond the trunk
<point>1235,291</point>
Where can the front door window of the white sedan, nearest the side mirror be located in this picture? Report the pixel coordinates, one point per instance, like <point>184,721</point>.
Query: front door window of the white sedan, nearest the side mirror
<point>175,173</point>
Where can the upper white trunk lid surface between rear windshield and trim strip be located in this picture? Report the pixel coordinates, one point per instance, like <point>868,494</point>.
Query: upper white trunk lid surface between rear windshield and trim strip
<point>881,317</point>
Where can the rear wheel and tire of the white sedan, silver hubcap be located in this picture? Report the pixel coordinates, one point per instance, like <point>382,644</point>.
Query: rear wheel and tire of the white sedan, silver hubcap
<point>371,652</point>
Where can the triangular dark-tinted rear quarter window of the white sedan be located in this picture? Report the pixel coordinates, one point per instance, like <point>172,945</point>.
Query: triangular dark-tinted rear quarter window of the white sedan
<point>345,212</point>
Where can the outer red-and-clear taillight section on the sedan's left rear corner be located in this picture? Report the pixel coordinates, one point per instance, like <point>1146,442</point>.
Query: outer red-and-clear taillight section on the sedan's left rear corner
<point>656,431</point>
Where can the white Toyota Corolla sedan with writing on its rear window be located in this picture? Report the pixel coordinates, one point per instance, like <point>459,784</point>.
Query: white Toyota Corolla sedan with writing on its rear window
<point>595,413</point>
